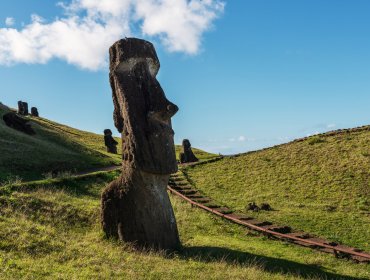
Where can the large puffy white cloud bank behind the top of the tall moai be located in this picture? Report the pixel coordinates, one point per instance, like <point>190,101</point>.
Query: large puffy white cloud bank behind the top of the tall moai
<point>88,27</point>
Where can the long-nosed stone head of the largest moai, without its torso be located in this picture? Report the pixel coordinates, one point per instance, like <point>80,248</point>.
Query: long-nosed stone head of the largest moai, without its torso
<point>142,112</point>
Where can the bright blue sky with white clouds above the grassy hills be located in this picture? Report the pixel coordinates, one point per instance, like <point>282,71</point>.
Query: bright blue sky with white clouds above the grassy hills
<point>246,75</point>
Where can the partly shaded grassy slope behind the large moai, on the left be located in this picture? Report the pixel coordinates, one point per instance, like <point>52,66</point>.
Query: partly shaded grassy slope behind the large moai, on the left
<point>54,148</point>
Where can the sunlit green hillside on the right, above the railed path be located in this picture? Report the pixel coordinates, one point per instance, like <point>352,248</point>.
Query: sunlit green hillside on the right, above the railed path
<point>320,184</point>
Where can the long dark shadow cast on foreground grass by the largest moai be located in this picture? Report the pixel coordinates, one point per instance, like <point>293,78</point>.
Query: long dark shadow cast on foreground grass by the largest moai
<point>269,264</point>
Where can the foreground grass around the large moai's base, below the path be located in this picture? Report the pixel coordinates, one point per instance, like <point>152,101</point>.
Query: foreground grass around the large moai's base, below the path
<point>50,230</point>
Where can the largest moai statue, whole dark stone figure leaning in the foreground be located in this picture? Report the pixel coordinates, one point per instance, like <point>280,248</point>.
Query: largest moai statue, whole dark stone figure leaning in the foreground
<point>136,207</point>
